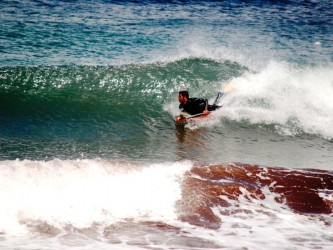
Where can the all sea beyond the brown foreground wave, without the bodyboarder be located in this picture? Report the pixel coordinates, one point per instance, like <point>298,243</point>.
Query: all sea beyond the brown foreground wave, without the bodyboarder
<point>82,79</point>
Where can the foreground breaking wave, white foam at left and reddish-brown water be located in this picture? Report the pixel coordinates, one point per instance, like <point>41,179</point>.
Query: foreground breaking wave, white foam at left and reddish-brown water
<point>86,201</point>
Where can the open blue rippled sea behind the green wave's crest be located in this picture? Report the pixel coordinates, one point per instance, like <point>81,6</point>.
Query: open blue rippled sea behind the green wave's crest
<point>111,32</point>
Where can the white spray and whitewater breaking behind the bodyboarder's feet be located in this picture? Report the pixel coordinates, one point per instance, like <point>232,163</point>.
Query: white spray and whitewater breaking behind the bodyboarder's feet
<point>296,99</point>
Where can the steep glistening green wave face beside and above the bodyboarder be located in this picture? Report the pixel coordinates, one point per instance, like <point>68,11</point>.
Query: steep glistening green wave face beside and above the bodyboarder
<point>113,91</point>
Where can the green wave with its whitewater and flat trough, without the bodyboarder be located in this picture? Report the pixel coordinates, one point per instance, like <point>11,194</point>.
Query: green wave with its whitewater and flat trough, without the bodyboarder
<point>126,112</point>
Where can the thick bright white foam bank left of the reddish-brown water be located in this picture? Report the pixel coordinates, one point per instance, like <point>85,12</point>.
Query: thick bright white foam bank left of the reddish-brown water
<point>80,193</point>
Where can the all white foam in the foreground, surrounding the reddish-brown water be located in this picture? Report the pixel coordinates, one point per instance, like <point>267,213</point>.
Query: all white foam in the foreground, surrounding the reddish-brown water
<point>86,192</point>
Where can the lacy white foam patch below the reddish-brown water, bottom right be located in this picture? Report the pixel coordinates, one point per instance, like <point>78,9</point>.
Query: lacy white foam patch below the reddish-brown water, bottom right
<point>266,224</point>
